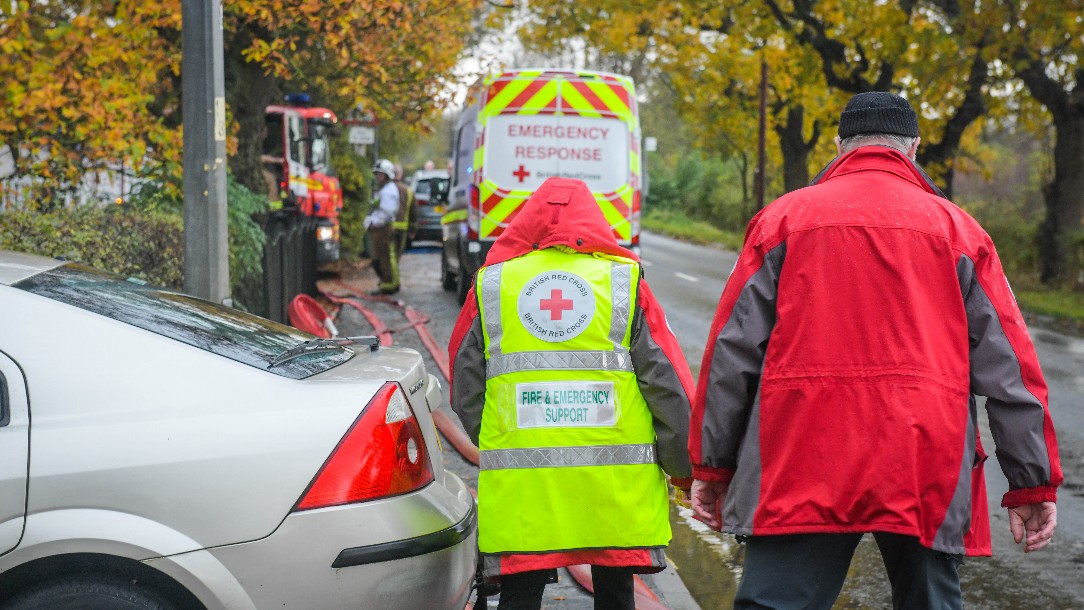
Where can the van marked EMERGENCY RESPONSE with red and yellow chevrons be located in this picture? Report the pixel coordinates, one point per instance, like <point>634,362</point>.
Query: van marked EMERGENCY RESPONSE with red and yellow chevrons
<point>520,128</point>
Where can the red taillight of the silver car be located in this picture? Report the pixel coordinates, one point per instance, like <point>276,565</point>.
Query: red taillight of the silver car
<point>383,456</point>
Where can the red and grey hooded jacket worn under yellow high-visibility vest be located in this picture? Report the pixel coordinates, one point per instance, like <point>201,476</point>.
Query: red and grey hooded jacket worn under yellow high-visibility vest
<point>563,213</point>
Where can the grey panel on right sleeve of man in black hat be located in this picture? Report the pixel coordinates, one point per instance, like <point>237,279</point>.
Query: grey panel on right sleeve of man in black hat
<point>1016,416</point>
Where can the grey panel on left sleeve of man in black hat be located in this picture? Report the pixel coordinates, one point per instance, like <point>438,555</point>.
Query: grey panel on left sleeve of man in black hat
<point>737,364</point>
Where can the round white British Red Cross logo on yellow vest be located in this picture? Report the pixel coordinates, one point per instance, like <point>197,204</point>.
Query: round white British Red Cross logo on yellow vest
<point>557,306</point>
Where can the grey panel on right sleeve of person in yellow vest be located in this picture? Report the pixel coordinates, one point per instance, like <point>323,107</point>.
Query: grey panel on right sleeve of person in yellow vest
<point>666,398</point>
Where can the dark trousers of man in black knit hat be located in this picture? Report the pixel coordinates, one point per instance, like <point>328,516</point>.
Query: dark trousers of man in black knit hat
<point>807,572</point>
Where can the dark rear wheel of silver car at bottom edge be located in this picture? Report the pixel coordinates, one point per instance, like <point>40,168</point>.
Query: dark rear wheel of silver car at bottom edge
<point>91,593</point>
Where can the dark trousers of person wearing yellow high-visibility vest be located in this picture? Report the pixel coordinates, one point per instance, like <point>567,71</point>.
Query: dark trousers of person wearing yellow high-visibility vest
<point>614,590</point>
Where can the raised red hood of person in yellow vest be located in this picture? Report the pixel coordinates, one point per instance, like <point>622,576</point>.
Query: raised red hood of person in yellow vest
<point>562,213</point>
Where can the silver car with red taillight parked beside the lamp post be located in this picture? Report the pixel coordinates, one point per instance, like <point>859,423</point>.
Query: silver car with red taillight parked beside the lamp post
<point>160,451</point>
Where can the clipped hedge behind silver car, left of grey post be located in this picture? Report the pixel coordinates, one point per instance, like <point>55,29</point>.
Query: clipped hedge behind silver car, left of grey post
<point>146,244</point>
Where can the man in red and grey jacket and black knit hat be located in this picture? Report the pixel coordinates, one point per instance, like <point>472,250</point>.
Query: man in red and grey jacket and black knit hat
<point>837,394</point>
